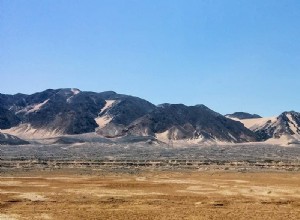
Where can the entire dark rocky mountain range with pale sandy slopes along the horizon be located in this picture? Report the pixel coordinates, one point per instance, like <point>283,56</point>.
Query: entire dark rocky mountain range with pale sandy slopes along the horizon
<point>59,112</point>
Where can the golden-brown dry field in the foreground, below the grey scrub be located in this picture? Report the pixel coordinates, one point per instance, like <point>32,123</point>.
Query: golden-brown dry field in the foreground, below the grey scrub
<point>150,195</point>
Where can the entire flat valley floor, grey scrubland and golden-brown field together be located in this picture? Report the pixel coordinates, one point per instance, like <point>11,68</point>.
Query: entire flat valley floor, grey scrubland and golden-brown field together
<point>140,182</point>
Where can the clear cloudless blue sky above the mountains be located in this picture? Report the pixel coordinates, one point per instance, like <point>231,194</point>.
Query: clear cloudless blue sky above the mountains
<point>231,55</point>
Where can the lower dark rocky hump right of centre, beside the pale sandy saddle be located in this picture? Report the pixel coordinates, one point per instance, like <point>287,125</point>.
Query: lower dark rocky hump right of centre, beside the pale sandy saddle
<point>177,121</point>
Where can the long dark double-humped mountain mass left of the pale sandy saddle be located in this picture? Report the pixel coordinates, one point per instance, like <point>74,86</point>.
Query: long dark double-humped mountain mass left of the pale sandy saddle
<point>71,111</point>
